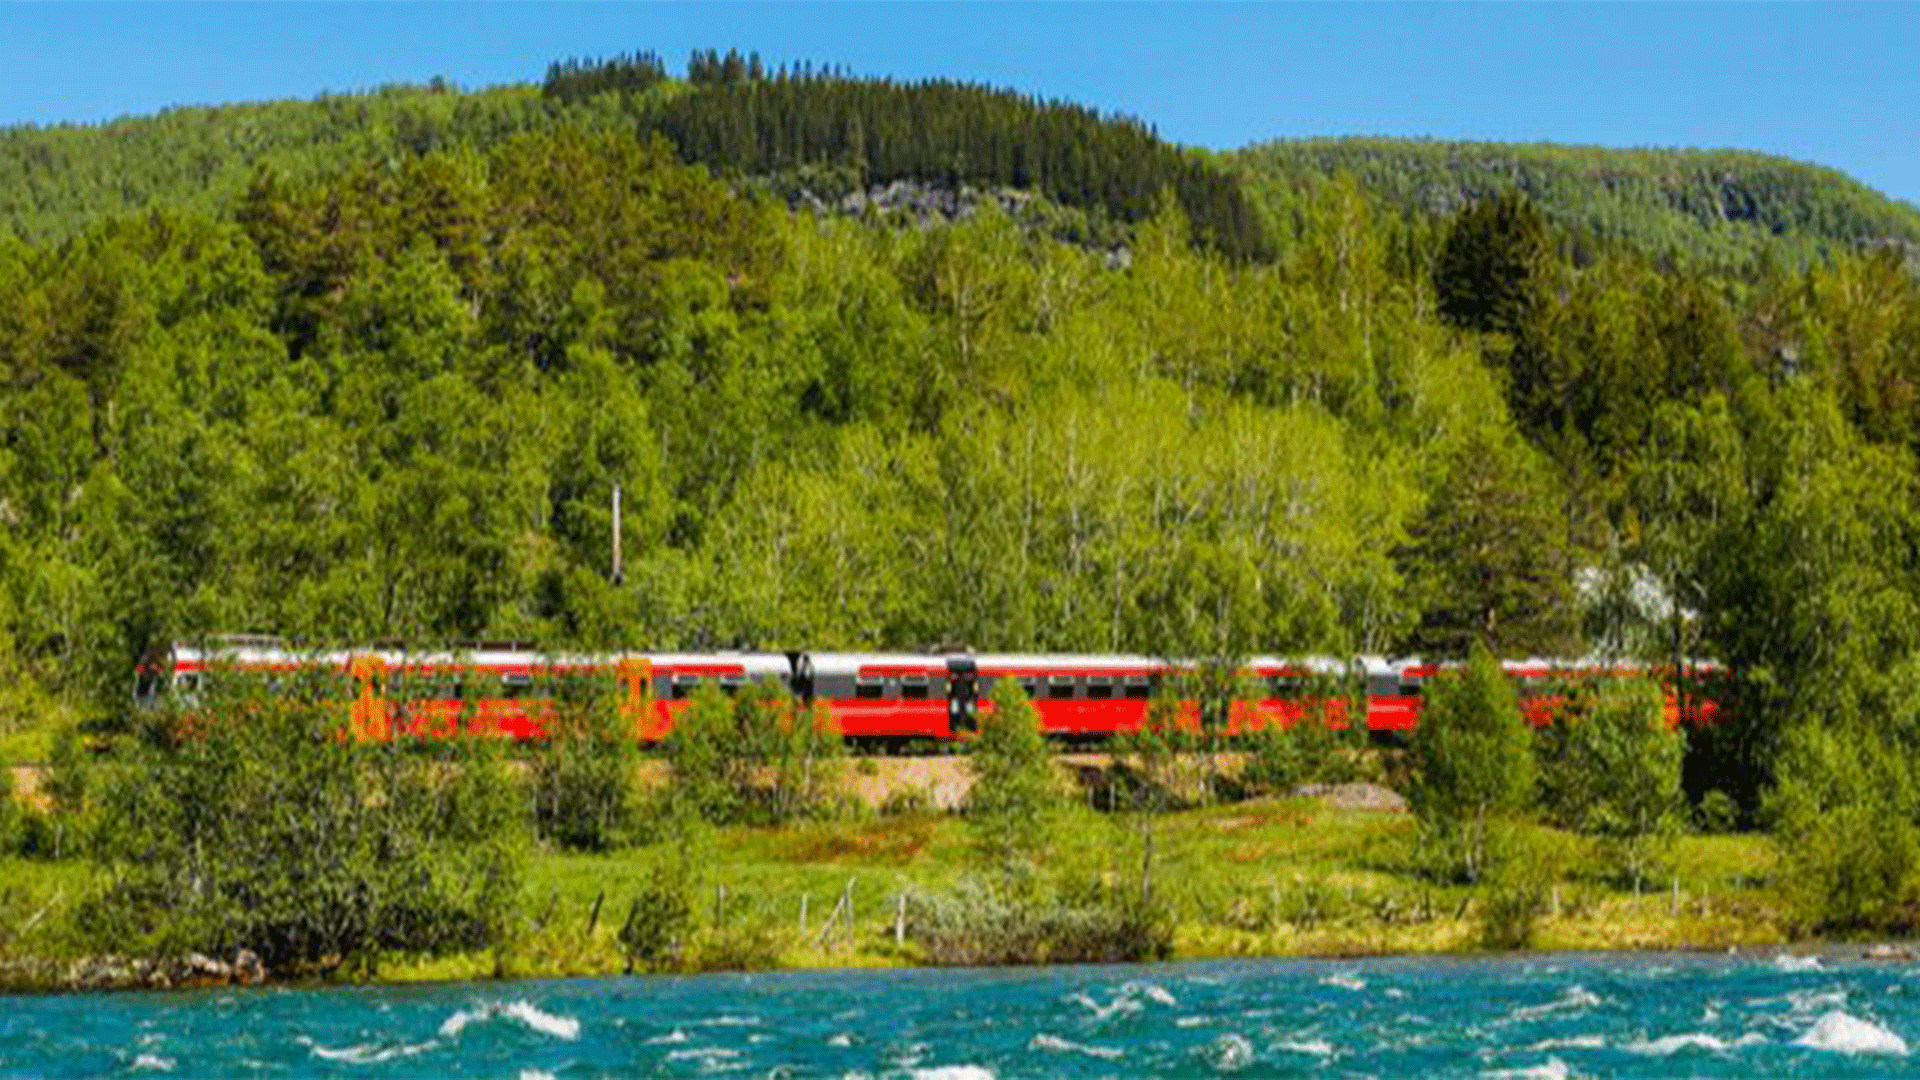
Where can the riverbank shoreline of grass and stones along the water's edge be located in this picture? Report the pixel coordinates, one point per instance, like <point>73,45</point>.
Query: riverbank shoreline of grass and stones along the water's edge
<point>1312,879</point>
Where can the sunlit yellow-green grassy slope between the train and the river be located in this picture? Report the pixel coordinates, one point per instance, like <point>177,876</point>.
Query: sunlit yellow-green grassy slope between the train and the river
<point>1276,877</point>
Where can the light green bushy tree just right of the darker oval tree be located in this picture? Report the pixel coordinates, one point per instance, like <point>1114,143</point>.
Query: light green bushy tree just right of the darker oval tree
<point>1612,772</point>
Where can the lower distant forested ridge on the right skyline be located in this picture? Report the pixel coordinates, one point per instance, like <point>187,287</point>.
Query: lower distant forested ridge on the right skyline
<point>1708,209</point>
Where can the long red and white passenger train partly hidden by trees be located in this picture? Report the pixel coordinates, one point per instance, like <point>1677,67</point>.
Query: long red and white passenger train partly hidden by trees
<point>875,697</point>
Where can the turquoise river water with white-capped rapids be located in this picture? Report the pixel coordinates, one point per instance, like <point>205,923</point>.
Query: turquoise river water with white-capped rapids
<point>1612,1016</point>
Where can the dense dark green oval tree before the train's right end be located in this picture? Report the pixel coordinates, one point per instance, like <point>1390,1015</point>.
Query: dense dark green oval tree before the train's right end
<point>1474,766</point>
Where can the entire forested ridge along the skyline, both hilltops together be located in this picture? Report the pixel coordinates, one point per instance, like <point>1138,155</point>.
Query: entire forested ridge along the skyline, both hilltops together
<point>817,130</point>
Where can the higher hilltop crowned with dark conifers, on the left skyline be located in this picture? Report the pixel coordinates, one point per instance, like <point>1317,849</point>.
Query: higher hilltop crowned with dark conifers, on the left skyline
<point>800,130</point>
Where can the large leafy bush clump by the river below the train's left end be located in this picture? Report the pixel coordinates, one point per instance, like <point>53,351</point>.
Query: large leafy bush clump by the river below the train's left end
<point>272,831</point>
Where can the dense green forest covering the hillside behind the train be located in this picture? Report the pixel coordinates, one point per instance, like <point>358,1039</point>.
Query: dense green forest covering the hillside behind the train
<point>387,385</point>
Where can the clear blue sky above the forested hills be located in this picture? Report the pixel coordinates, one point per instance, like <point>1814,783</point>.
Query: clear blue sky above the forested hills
<point>1831,84</point>
